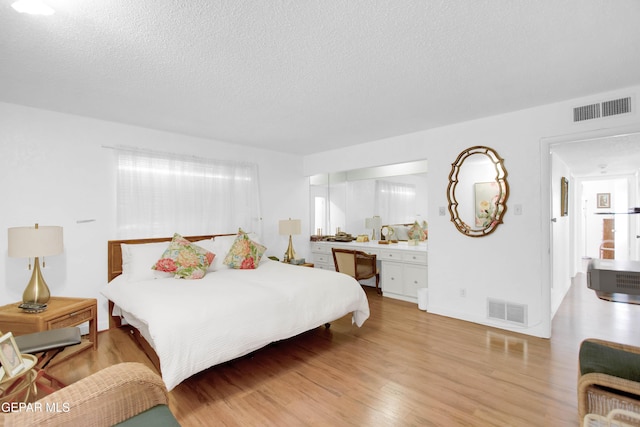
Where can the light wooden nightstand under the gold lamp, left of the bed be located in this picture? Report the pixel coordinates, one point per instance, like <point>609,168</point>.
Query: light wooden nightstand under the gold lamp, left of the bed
<point>61,312</point>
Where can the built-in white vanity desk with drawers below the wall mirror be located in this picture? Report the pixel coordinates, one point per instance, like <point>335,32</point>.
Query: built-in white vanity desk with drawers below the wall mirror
<point>403,268</point>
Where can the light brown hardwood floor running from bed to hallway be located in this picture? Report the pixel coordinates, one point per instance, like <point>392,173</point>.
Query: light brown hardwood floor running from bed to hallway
<point>403,367</point>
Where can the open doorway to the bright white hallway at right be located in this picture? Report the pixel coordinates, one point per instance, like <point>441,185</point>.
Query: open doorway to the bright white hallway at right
<point>603,175</point>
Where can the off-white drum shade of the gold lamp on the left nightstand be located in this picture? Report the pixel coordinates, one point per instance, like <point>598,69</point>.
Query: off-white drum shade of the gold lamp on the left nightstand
<point>31,242</point>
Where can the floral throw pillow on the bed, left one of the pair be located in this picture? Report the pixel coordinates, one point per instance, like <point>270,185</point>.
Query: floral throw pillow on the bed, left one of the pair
<point>184,259</point>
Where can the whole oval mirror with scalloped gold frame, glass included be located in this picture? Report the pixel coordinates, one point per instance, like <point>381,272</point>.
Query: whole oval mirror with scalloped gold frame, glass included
<point>477,193</point>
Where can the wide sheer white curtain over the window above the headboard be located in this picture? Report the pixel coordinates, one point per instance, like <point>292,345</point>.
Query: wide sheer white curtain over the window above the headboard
<point>162,193</point>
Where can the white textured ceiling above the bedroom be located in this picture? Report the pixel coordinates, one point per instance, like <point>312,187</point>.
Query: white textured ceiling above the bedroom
<point>308,76</point>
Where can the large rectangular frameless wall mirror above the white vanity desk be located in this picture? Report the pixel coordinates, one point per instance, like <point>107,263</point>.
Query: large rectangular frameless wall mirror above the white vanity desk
<point>396,193</point>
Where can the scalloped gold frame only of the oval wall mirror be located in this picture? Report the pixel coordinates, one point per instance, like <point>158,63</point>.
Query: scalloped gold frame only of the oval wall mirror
<point>501,179</point>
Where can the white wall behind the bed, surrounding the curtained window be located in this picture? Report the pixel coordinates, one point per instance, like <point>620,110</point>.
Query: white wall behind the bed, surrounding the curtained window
<point>55,171</point>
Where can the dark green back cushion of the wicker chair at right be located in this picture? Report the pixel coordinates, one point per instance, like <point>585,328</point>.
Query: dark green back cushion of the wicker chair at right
<point>603,359</point>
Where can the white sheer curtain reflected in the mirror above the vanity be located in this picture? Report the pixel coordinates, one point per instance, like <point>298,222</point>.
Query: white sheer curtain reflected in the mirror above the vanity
<point>395,202</point>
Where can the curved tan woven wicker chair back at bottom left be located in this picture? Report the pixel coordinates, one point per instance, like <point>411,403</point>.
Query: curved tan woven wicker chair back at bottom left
<point>126,392</point>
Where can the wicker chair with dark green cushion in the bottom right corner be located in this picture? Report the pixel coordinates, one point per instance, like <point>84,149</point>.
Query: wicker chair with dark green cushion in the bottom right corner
<point>603,389</point>
